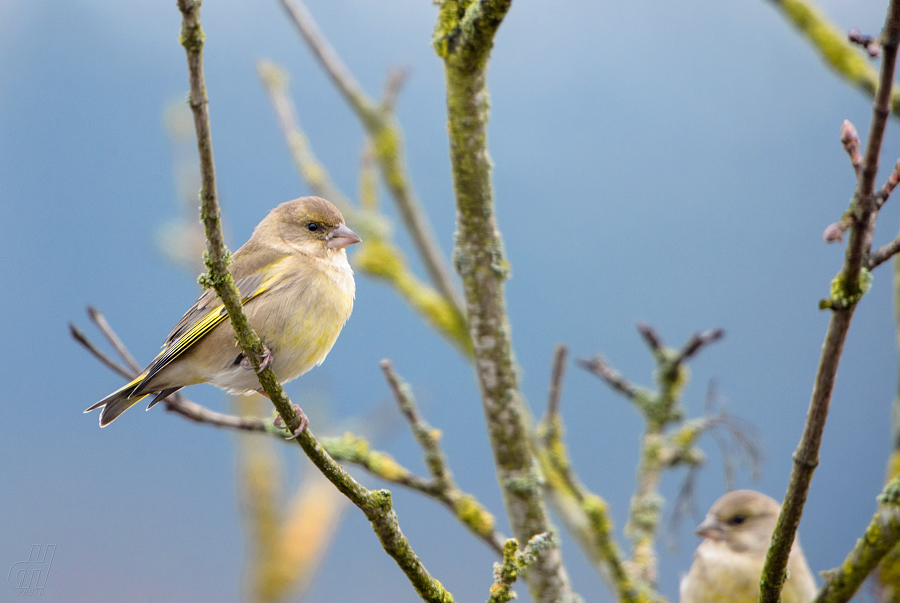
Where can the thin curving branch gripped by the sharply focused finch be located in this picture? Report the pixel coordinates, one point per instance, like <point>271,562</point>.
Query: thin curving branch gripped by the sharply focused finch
<point>375,504</point>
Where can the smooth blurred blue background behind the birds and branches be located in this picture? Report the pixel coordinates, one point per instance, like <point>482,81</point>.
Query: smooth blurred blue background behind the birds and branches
<point>672,163</point>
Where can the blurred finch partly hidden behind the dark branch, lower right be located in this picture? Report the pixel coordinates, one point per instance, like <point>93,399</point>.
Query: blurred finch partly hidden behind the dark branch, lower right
<point>729,561</point>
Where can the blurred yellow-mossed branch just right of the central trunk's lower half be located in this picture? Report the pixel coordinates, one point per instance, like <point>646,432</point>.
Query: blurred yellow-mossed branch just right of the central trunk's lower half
<point>585,514</point>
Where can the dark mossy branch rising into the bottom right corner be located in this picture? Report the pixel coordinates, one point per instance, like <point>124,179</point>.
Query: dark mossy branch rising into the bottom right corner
<point>881,535</point>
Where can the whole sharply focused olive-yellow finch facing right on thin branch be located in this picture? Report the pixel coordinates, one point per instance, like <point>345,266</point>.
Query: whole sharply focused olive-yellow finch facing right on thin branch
<point>297,289</point>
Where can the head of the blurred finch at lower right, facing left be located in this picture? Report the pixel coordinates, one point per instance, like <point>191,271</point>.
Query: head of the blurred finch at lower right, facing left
<point>743,519</point>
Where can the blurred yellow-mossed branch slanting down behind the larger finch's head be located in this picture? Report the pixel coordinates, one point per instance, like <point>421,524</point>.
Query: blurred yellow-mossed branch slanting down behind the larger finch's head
<point>377,256</point>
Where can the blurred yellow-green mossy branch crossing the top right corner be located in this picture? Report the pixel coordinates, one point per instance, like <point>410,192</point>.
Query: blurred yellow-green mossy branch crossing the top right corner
<point>846,59</point>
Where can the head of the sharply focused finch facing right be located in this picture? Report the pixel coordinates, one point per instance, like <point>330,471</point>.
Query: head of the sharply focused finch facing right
<point>311,225</point>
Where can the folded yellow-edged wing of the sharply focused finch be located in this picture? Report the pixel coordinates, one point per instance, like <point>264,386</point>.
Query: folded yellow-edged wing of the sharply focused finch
<point>206,313</point>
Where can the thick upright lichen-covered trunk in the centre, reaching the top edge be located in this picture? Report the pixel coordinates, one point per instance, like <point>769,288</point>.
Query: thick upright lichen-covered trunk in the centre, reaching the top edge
<point>463,39</point>
